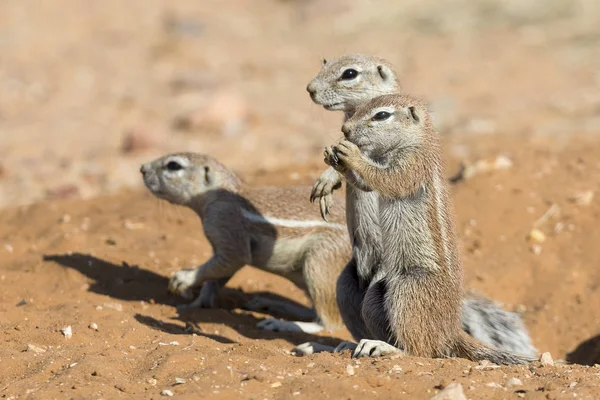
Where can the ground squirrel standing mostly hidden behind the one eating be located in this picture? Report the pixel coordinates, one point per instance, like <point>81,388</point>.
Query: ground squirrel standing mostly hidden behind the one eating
<point>343,84</point>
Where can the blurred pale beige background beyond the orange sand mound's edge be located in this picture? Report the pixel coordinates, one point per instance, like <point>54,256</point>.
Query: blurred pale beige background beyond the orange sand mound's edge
<point>89,90</point>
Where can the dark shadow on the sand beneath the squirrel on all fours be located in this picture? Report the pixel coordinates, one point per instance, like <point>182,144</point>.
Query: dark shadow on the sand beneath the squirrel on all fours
<point>131,283</point>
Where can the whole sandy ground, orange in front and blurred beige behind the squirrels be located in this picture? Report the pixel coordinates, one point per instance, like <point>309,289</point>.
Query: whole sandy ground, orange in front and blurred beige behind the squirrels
<point>89,91</point>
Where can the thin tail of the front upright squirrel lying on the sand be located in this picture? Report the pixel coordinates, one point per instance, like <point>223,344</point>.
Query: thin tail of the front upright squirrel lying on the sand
<point>467,347</point>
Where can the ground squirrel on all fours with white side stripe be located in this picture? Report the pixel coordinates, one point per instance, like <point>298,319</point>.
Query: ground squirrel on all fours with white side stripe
<point>272,228</point>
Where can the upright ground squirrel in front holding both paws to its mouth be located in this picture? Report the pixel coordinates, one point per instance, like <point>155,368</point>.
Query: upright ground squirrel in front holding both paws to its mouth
<point>413,300</point>
